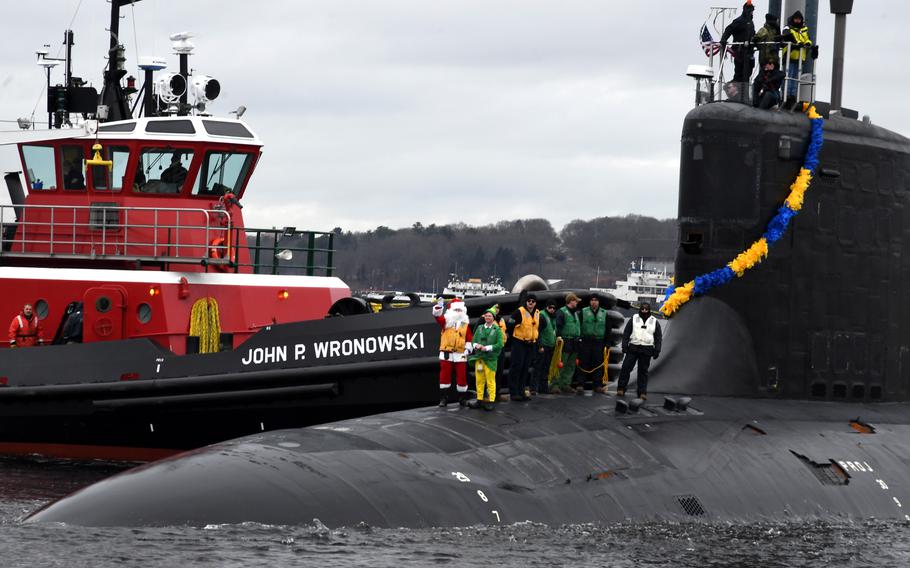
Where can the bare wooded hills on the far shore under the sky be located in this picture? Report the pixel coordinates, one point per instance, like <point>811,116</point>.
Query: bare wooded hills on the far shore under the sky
<point>420,258</point>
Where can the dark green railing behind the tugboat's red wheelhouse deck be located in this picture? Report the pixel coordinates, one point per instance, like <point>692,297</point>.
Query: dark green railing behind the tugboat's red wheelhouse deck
<point>278,251</point>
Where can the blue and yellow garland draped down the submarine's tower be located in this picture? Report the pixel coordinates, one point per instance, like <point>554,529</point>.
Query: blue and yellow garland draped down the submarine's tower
<point>676,297</point>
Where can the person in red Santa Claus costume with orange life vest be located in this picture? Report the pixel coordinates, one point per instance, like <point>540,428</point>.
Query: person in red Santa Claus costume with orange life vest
<point>454,347</point>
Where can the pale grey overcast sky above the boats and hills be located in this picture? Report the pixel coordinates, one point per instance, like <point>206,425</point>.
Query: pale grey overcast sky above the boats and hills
<point>390,112</point>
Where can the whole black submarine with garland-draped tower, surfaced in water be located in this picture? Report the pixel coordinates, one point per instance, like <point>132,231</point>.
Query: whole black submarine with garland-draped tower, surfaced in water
<point>777,395</point>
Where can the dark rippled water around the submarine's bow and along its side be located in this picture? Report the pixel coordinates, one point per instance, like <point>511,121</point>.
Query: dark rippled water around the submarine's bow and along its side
<point>26,485</point>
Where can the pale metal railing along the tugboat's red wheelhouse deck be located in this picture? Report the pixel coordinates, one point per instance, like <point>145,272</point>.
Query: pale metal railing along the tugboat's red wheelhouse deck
<point>102,231</point>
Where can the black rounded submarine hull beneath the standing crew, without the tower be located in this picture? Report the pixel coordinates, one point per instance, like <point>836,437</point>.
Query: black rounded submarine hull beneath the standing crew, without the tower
<point>554,460</point>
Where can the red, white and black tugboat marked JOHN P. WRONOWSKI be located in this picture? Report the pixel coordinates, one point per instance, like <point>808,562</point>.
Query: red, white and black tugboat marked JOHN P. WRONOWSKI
<point>167,323</point>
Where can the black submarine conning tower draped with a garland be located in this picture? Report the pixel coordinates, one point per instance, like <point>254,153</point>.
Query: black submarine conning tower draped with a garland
<point>826,314</point>
